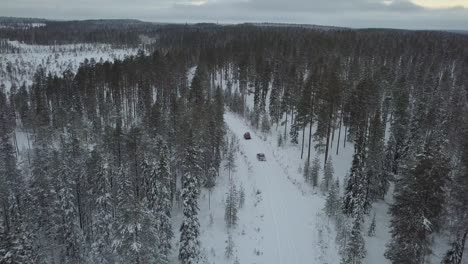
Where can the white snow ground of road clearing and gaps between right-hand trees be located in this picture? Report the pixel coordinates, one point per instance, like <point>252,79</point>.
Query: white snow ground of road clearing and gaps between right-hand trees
<point>283,217</point>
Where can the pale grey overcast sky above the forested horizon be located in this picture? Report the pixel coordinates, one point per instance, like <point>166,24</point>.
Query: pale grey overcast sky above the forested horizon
<point>410,14</point>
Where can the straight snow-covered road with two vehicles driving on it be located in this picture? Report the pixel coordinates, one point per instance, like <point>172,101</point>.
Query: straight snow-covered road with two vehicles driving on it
<point>289,217</point>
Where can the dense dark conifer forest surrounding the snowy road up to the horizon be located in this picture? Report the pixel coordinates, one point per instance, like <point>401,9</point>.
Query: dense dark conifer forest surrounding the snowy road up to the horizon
<point>115,145</point>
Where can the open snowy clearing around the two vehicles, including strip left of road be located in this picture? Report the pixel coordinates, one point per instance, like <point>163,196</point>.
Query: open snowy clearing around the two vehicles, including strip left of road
<point>282,220</point>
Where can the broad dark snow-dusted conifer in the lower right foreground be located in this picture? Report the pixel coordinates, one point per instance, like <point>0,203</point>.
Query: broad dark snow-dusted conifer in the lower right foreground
<point>419,198</point>
